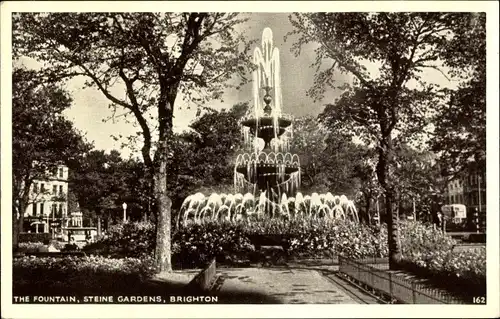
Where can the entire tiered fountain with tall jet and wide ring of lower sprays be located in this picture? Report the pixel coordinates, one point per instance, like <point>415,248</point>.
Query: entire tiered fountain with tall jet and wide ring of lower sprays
<point>268,176</point>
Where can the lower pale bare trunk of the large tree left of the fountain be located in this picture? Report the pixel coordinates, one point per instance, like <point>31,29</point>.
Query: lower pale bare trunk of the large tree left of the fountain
<point>163,205</point>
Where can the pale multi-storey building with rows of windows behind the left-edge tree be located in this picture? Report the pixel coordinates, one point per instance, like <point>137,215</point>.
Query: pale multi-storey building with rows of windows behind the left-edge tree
<point>47,210</point>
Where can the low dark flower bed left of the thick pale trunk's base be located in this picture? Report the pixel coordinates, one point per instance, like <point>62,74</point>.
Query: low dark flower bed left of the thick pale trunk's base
<point>78,275</point>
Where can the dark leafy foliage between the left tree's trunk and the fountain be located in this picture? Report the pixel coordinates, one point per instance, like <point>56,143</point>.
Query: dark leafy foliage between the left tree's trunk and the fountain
<point>202,158</point>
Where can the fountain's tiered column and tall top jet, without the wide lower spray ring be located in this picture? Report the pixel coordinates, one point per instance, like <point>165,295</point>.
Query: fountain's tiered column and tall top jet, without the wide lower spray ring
<point>272,169</point>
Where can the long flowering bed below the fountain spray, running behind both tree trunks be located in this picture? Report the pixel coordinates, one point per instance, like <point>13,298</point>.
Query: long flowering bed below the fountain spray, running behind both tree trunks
<point>424,249</point>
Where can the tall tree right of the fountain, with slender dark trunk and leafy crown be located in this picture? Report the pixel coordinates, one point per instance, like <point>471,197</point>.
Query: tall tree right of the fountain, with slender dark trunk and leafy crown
<point>389,104</point>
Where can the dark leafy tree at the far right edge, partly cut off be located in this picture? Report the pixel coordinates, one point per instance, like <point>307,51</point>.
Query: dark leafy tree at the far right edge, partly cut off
<point>460,133</point>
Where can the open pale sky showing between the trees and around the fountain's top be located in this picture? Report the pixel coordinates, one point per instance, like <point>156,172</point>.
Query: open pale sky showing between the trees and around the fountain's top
<point>90,107</point>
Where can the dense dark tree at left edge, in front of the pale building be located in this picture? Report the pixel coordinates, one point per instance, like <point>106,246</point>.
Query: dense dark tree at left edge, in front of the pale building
<point>41,137</point>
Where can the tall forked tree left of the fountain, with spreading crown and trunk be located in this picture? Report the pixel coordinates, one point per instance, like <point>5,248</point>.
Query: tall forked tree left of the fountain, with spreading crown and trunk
<point>151,57</point>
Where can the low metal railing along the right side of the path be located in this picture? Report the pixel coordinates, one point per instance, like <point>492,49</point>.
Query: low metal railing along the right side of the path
<point>376,276</point>
